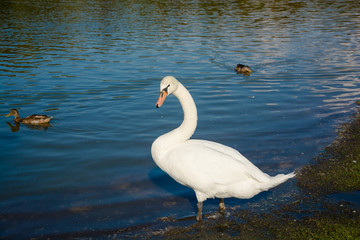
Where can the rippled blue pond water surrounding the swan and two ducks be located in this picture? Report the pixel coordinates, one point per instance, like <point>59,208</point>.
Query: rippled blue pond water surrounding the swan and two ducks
<point>96,66</point>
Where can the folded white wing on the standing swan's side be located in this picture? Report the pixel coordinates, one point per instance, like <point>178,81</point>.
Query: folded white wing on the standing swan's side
<point>202,164</point>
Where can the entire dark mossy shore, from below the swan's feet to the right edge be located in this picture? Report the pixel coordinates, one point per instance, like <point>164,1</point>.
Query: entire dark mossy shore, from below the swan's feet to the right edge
<point>314,214</point>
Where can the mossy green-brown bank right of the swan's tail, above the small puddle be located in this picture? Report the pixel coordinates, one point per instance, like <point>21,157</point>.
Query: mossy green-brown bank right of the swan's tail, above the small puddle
<point>337,169</point>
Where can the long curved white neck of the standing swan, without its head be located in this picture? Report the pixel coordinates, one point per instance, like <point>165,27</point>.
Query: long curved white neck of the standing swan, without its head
<point>184,131</point>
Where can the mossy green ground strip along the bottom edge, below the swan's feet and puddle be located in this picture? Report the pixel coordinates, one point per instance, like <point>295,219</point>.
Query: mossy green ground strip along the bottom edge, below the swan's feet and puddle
<point>325,224</point>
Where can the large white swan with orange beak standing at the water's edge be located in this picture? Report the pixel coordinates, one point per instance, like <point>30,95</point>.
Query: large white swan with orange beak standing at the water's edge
<point>209,168</point>
